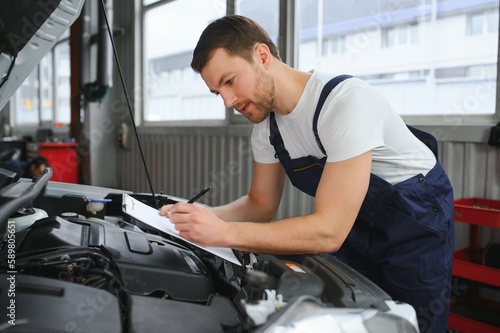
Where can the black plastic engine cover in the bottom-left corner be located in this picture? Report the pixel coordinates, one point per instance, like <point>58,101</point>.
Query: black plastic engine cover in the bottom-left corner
<point>37,304</point>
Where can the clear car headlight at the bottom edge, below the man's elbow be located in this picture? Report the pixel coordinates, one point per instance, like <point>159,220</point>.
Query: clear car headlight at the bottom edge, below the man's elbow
<point>307,314</point>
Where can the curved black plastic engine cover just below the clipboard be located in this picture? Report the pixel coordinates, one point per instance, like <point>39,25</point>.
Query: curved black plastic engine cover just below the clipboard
<point>147,263</point>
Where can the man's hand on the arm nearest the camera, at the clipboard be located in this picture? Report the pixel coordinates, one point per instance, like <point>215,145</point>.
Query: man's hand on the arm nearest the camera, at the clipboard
<point>196,223</point>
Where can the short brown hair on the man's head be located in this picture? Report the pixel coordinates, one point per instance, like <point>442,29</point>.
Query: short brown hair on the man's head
<point>234,33</point>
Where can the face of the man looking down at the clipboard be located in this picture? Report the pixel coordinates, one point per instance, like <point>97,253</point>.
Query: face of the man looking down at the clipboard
<point>242,85</point>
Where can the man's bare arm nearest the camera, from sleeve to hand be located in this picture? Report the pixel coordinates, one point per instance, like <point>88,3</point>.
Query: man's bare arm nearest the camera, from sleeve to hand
<point>341,192</point>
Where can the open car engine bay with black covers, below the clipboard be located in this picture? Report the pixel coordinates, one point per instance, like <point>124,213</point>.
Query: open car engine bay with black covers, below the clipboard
<point>69,265</point>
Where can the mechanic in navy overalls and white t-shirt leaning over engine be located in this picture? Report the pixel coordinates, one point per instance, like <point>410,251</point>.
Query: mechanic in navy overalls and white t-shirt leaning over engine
<point>383,202</point>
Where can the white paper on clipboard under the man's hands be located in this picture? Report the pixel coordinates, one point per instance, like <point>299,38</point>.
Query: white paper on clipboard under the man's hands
<point>152,217</point>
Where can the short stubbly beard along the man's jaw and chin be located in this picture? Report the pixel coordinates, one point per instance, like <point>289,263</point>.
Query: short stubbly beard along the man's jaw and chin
<point>264,97</point>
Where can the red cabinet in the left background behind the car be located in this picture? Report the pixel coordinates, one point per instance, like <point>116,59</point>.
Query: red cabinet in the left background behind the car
<point>63,159</point>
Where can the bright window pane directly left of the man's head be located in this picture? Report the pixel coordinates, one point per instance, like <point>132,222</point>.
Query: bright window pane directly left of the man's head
<point>173,91</point>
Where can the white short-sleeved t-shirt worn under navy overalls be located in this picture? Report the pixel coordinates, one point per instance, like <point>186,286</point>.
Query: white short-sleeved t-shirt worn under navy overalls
<point>355,119</point>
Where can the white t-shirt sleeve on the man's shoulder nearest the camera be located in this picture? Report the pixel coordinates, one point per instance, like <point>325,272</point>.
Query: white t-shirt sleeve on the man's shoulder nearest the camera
<point>352,121</point>
